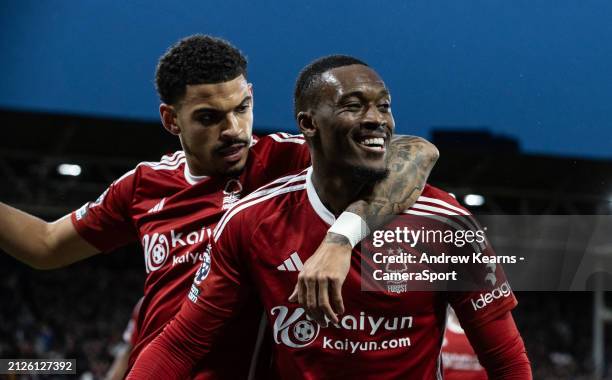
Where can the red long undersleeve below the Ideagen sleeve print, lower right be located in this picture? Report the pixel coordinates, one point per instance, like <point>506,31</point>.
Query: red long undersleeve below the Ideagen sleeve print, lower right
<point>500,349</point>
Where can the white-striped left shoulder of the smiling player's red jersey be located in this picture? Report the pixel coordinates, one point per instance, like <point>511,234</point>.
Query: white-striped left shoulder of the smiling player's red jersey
<point>263,201</point>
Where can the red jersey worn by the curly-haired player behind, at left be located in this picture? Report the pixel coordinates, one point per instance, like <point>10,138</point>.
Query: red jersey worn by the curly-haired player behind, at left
<point>173,213</point>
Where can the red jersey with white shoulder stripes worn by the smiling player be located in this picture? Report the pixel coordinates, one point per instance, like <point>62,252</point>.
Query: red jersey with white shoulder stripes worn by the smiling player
<point>260,245</point>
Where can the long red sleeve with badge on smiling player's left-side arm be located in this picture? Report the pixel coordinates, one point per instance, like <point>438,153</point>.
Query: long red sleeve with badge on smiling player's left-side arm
<point>210,307</point>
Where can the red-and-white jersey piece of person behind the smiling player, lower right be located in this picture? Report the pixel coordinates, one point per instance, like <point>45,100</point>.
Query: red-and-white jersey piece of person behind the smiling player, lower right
<point>458,357</point>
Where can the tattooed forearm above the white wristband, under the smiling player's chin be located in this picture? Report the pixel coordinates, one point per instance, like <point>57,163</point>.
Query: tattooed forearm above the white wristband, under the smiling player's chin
<point>410,160</point>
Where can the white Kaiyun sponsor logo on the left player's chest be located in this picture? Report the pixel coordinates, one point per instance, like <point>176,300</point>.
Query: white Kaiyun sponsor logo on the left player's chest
<point>158,247</point>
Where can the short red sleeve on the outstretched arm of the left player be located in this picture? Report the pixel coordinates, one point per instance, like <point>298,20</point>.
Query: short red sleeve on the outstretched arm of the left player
<point>106,223</point>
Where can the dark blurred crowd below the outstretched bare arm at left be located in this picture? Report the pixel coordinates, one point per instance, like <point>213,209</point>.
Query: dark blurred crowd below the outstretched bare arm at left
<point>78,312</point>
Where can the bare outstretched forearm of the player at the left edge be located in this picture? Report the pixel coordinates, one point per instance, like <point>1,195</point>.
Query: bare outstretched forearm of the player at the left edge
<point>40,244</point>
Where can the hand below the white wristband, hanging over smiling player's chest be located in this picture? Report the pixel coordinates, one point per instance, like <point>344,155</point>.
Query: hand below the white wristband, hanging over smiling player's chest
<point>319,286</point>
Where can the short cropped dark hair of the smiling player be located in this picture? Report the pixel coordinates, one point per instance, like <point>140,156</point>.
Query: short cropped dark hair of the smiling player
<point>306,87</point>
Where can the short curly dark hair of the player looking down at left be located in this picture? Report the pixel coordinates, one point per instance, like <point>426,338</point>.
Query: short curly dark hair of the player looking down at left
<point>197,59</point>
